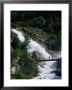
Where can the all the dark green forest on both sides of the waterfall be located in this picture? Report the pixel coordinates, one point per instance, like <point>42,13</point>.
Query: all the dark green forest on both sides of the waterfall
<point>43,27</point>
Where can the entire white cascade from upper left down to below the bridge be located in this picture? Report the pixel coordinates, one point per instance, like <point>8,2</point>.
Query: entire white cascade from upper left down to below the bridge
<point>45,68</point>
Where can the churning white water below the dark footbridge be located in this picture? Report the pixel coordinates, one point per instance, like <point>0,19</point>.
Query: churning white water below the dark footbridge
<point>45,70</point>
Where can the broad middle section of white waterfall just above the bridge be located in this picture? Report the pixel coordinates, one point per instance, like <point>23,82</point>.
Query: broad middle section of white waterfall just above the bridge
<point>34,46</point>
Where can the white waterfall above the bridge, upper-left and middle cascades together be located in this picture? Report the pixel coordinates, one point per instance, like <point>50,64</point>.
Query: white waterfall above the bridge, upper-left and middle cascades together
<point>33,45</point>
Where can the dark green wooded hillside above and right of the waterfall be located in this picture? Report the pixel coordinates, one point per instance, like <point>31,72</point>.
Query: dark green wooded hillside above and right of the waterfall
<point>40,26</point>
